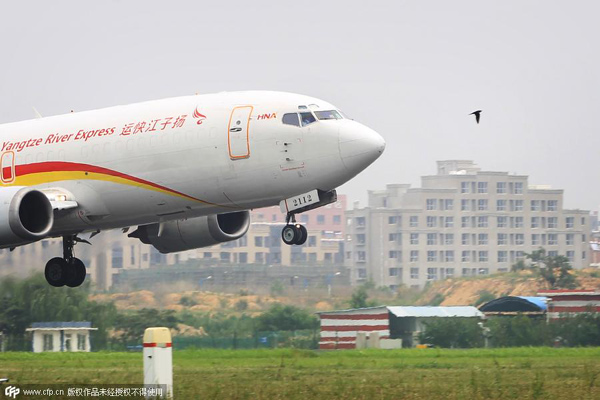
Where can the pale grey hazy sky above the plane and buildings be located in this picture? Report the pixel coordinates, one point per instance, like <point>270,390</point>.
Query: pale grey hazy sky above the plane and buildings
<point>412,71</point>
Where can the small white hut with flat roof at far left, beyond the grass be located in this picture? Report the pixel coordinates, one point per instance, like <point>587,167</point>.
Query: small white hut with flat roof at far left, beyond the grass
<point>61,336</point>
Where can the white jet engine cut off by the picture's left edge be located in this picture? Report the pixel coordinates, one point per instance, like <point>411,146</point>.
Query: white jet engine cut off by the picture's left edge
<point>26,215</point>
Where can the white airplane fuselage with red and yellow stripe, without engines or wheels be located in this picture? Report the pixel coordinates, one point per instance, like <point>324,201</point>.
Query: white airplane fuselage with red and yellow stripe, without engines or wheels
<point>182,157</point>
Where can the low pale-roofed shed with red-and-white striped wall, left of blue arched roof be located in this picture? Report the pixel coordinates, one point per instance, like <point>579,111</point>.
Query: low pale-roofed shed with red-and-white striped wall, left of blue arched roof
<point>383,326</point>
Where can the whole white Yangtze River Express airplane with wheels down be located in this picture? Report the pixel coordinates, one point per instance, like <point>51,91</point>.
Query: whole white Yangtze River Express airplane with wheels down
<point>184,171</point>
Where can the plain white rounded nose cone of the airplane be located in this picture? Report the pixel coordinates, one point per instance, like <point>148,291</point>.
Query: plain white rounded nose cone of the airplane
<point>359,147</point>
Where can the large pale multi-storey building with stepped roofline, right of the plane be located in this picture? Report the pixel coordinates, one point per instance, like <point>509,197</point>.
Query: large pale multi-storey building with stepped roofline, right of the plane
<point>461,222</point>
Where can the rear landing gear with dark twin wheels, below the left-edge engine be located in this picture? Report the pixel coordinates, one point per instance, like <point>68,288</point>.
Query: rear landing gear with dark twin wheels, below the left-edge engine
<point>67,270</point>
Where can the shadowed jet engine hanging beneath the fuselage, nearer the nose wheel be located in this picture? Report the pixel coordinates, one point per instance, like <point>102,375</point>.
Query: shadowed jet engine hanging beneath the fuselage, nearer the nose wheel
<point>188,234</point>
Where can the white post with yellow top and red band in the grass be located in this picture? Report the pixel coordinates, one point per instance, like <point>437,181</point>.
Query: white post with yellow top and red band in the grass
<point>158,359</point>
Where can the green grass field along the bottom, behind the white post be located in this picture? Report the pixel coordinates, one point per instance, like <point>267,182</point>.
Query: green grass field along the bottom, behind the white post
<point>516,373</point>
